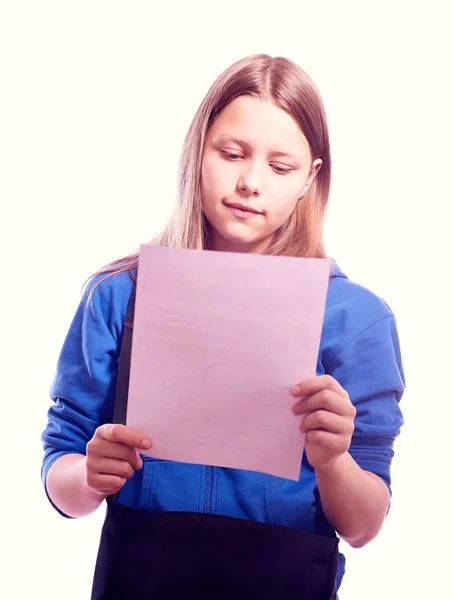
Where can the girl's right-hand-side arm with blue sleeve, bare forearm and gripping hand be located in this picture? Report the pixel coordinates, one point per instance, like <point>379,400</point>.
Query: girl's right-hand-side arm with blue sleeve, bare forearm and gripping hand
<point>350,435</point>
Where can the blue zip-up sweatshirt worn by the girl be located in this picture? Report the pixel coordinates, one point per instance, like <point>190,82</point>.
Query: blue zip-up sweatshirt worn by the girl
<point>359,348</point>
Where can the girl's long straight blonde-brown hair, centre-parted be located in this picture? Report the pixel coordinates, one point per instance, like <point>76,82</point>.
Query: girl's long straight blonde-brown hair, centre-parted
<point>270,79</point>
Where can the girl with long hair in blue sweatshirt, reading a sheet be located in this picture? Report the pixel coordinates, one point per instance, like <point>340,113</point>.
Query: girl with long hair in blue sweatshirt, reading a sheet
<point>254,177</point>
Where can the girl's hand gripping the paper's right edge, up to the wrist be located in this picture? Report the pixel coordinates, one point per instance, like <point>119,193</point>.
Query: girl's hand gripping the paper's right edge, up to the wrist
<point>329,419</point>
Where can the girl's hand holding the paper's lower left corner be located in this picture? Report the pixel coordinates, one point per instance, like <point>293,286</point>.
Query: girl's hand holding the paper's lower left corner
<point>112,457</point>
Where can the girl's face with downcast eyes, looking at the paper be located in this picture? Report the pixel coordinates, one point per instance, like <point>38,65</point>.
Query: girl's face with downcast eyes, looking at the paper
<point>256,166</point>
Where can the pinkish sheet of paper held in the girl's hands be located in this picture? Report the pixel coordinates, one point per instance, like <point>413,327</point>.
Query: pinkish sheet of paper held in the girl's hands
<point>219,338</point>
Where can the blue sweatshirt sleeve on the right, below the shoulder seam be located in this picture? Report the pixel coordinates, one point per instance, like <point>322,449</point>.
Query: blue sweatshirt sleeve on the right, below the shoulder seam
<point>370,369</point>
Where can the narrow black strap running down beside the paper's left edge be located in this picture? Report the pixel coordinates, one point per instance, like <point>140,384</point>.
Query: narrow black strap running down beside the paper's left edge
<point>124,365</point>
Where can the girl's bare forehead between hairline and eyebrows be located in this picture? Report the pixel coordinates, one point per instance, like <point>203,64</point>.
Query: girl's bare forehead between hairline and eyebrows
<point>260,124</point>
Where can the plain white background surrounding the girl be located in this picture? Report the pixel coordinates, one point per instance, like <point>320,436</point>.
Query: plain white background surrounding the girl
<point>95,99</point>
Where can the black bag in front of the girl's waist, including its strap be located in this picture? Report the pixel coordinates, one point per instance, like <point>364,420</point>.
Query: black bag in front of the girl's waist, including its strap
<point>156,555</point>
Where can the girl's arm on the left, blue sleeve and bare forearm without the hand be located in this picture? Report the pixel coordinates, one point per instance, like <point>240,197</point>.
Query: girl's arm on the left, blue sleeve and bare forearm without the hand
<point>83,393</point>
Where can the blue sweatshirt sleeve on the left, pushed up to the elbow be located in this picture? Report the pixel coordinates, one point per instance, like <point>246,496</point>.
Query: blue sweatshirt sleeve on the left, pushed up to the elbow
<point>83,389</point>
